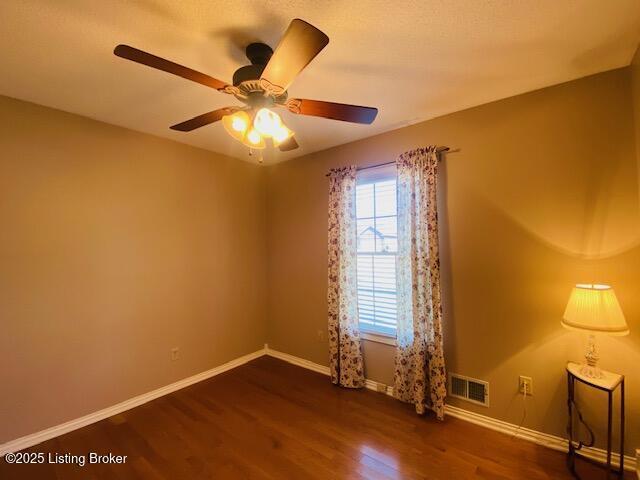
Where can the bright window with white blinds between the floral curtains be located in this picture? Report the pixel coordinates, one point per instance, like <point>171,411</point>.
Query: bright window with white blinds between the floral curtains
<point>377,246</point>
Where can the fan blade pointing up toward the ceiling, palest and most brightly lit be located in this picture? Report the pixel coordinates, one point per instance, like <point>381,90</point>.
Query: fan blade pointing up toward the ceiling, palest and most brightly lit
<point>298,46</point>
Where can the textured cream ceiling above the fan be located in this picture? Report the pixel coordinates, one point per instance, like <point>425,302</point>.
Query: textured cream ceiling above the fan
<point>413,60</point>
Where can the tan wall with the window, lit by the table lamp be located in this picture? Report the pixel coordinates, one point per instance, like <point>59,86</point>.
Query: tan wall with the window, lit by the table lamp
<point>543,193</point>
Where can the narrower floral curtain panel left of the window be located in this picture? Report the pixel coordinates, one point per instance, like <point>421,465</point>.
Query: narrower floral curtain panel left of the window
<point>344,338</point>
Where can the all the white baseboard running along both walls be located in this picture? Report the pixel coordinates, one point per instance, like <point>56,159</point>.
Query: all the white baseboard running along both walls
<point>550,441</point>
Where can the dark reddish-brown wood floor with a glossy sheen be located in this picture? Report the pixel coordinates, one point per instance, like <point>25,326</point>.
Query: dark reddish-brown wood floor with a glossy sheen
<point>272,420</point>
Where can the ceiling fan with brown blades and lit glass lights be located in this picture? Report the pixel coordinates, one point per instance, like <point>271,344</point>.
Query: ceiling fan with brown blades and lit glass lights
<point>260,87</point>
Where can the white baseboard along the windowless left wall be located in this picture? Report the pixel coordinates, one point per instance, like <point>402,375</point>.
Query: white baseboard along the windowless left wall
<point>39,437</point>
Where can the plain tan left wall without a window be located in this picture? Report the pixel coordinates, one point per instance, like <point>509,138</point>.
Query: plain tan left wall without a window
<point>115,247</point>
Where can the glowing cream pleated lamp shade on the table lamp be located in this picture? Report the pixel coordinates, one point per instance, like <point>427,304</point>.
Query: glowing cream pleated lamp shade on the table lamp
<point>595,308</point>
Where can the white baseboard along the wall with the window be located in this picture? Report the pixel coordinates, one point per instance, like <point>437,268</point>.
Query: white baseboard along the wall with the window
<point>540,438</point>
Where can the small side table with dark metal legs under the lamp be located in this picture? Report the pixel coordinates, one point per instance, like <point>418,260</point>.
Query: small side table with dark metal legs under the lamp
<point>608,383</point>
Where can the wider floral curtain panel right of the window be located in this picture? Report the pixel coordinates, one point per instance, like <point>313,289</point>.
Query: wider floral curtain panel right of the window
<point>419,371</point>
